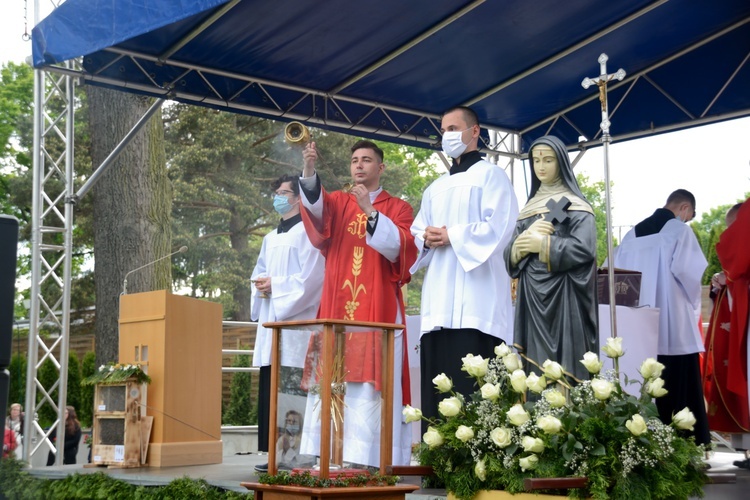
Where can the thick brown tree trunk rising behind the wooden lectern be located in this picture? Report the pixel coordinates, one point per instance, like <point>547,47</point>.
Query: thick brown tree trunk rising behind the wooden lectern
<point>132,208</point>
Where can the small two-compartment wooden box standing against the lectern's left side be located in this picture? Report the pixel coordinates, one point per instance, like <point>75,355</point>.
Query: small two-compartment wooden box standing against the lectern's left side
<point>119,428</point>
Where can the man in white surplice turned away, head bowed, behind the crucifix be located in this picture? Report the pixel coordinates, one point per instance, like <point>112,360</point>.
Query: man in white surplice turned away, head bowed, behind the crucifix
<point>665,250</point>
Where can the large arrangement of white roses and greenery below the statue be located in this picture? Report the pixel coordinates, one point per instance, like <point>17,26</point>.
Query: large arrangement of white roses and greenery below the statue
<point>520,425</point>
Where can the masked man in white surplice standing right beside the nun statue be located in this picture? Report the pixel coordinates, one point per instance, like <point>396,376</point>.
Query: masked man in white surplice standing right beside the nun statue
<point>466,219</point>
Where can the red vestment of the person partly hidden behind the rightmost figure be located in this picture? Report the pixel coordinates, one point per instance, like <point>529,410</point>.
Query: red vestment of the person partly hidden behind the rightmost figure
<point>727,411</point>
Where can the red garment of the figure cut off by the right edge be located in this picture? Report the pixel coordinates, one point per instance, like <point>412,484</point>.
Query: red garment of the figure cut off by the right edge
<point>735,261</point>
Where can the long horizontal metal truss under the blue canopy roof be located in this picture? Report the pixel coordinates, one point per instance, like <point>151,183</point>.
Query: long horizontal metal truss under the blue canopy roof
<point>328,110</point>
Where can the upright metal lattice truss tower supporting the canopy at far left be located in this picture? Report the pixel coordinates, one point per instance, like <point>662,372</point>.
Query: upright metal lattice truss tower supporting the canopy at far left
<point>51,258</point>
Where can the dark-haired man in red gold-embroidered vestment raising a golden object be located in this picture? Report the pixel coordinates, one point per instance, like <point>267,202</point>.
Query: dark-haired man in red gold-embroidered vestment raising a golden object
<point>364,234</point>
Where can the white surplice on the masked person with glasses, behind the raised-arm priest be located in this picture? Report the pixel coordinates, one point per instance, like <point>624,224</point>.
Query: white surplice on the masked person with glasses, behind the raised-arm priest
<point>296,269</point>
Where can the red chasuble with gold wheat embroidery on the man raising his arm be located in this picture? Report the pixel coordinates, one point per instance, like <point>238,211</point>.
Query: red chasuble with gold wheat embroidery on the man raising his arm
<point>361,284</point>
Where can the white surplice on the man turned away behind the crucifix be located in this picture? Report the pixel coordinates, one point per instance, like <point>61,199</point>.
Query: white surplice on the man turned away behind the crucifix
<point>672,265</point>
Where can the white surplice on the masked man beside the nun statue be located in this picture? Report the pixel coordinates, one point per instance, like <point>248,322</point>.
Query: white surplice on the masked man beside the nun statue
<point>466,284</point>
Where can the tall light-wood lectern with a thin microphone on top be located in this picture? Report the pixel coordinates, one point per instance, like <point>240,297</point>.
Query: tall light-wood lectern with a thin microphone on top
<point>179,340</point>
